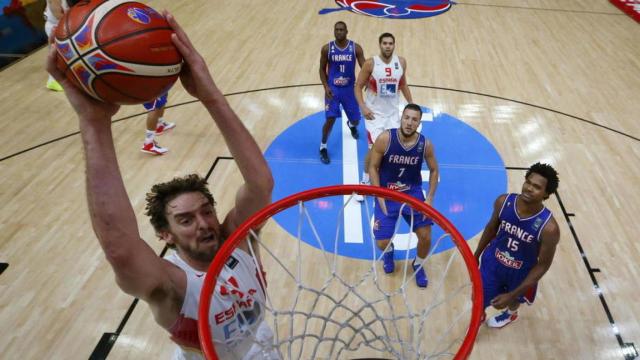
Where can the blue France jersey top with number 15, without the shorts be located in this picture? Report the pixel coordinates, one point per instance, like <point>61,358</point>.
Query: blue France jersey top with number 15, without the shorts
<point>517,243</point>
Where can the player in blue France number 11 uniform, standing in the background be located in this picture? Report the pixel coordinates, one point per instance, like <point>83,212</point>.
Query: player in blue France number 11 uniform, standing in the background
<point>338,74</point>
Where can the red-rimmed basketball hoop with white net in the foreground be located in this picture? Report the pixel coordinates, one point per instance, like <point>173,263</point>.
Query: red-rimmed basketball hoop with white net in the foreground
<point>354,309</point>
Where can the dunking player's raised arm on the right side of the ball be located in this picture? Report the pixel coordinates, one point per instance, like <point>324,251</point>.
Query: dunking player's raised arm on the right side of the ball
<point>255,193</point>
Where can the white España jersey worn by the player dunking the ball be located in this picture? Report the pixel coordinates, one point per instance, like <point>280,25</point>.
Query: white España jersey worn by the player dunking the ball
<point>237,314</point>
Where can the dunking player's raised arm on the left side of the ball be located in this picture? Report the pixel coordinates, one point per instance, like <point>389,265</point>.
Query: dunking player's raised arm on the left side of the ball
<point>139,271</point>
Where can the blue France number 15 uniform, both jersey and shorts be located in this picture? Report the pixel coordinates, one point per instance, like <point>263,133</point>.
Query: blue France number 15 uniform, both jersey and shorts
<point>511,255</point>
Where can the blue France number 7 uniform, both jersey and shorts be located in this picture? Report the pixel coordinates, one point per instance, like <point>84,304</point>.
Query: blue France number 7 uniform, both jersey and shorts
<point>400,170</point>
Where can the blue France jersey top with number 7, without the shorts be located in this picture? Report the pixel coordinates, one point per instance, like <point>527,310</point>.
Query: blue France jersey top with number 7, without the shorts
<point>400,167</point>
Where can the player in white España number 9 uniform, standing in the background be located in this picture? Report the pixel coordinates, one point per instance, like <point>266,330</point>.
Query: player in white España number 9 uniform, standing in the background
<point>383,76</point>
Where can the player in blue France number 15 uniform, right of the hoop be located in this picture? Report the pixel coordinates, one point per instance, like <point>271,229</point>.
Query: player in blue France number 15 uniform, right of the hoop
<point>518,244</point>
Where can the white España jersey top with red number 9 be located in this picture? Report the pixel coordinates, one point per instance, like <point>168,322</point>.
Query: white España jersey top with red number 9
<point>384,83</point>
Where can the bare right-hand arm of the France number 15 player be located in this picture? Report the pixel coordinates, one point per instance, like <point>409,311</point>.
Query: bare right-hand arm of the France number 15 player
<point>548,243</point>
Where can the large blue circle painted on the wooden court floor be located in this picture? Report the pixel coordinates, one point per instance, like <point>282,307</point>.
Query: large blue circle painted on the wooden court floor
<point>472,175</point>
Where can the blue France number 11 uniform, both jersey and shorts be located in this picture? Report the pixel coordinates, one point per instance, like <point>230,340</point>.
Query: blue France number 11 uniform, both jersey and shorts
<point>341,80</point>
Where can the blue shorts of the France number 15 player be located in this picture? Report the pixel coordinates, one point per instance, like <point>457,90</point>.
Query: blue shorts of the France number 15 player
<point>498,279</point>
